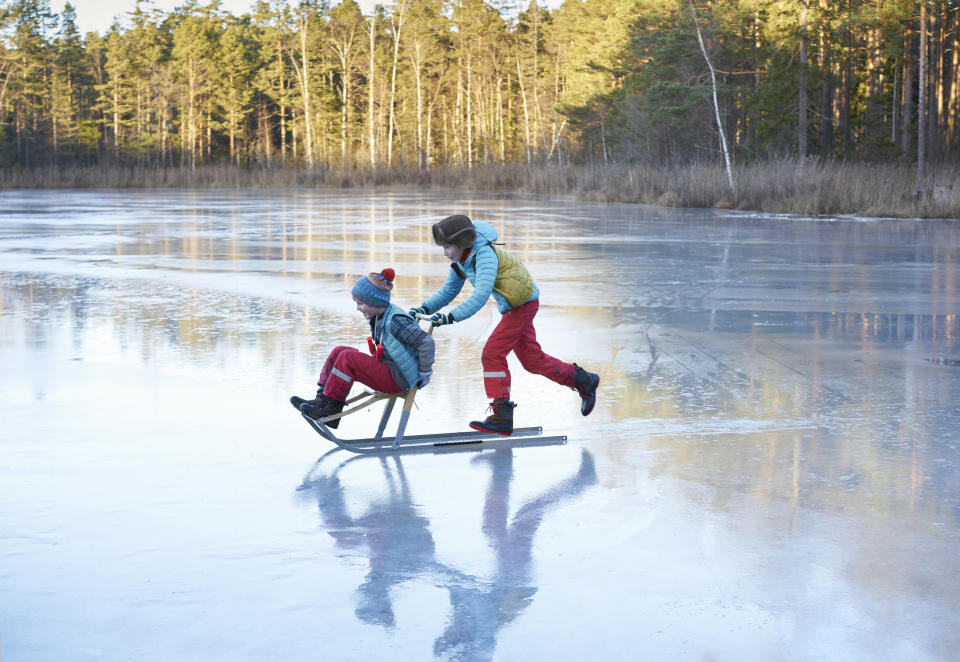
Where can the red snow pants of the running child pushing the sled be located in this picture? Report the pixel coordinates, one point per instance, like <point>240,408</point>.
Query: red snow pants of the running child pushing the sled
<point>515,333</point>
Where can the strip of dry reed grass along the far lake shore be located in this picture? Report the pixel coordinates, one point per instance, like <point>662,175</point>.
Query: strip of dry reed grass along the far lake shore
<point>786,186</point>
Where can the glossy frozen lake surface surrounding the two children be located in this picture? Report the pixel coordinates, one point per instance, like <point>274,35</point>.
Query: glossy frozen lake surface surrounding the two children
<point>771,471</point>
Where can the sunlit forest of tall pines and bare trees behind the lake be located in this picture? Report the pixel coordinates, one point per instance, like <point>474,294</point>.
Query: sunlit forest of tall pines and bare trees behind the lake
<point>422,84</point>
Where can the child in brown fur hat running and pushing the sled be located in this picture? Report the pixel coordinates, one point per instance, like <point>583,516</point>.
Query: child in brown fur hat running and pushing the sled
<point>497,273</point>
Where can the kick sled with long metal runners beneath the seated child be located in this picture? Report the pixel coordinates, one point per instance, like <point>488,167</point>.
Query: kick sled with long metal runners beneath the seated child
<point>419,442</point>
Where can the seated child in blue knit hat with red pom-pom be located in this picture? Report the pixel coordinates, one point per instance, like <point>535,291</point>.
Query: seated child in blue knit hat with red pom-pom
<point>401,353</point>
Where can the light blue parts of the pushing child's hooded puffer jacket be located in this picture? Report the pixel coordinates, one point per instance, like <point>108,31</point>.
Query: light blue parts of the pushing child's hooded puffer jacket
<point>481,269</point>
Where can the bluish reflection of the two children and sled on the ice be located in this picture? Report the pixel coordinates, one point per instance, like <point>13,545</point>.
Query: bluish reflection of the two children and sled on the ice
<point>396,539</point>
